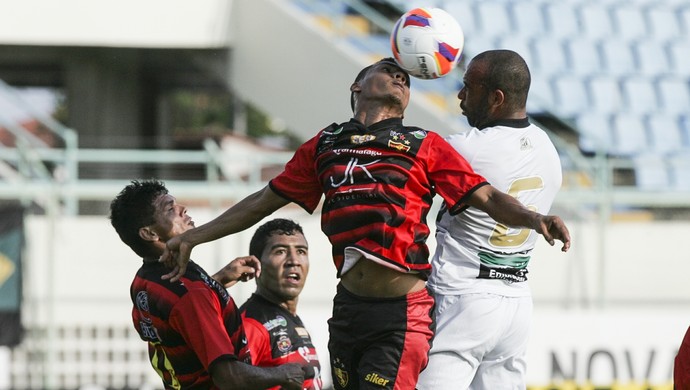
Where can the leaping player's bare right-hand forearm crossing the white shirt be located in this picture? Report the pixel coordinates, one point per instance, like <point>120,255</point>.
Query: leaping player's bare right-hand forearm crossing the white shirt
<point>507,210</point>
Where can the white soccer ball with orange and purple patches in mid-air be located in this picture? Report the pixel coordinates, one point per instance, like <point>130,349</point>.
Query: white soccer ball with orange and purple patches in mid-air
<point>427,42</point>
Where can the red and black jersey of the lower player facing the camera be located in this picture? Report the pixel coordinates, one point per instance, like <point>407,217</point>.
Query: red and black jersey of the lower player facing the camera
<point>277,337</point>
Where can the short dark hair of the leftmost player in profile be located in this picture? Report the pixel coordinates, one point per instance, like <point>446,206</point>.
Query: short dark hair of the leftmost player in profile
<point>132,209</point>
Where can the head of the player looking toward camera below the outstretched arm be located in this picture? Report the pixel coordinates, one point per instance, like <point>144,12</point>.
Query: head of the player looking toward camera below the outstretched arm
<point>281,247</point>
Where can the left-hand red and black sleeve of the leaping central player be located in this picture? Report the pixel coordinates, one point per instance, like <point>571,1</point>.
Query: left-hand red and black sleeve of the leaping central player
<point>299,181</point>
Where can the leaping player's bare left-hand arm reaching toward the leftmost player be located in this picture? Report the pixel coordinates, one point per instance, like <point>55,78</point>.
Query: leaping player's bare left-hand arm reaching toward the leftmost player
<point>241,216</point>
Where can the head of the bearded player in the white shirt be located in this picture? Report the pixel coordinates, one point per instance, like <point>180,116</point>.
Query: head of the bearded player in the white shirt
<point>496,84</point>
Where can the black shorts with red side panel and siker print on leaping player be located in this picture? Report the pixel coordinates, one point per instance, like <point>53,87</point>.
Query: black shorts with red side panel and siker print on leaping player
<point>379,343</point>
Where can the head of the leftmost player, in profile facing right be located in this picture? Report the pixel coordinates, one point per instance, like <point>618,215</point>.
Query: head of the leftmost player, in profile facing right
<point>145,216</point>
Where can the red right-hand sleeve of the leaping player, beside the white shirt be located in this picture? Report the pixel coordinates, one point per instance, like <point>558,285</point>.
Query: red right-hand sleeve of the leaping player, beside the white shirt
<point>452,176</point>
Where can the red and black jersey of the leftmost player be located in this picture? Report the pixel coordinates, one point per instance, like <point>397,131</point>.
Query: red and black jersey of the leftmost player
<point>189,324</point>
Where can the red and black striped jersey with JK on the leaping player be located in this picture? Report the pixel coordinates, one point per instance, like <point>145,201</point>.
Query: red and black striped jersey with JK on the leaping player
<point>379,183</point>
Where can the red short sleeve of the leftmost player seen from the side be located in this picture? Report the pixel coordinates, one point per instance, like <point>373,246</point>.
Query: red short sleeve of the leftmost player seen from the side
<point>197,317</point>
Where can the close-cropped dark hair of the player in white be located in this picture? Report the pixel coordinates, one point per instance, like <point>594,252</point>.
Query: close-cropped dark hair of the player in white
<point>507,71</point>
